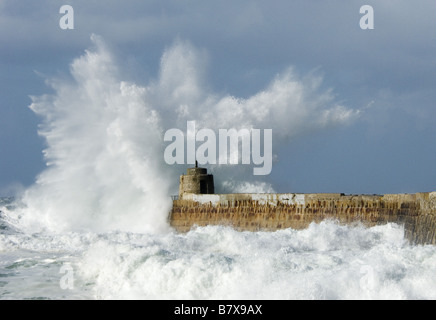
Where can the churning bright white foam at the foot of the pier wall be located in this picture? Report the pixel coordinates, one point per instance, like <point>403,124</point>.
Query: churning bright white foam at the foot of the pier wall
<point>325,261</point>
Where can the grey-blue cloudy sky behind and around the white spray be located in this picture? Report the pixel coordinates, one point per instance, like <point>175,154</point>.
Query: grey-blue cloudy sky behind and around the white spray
<point>246,44</point>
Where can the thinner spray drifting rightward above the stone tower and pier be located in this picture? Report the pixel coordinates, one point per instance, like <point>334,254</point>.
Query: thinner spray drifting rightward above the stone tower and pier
<point>291,106</point>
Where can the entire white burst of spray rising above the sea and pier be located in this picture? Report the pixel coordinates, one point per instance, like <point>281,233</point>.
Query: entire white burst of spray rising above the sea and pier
<point>104,155</point>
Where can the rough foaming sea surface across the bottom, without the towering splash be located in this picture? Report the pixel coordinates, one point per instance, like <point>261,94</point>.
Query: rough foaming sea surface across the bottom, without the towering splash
<point>326,261</point>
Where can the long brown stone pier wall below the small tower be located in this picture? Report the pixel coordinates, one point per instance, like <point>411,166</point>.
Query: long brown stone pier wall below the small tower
<point>253,212</point>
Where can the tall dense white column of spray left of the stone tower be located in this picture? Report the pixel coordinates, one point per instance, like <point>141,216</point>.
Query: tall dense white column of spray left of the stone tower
<point>104,147</point>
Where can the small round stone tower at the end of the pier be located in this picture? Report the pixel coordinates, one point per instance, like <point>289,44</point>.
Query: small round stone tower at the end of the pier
<point>196,181</point>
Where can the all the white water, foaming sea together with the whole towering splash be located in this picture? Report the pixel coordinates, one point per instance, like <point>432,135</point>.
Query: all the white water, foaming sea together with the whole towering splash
<point>94,223</point>
